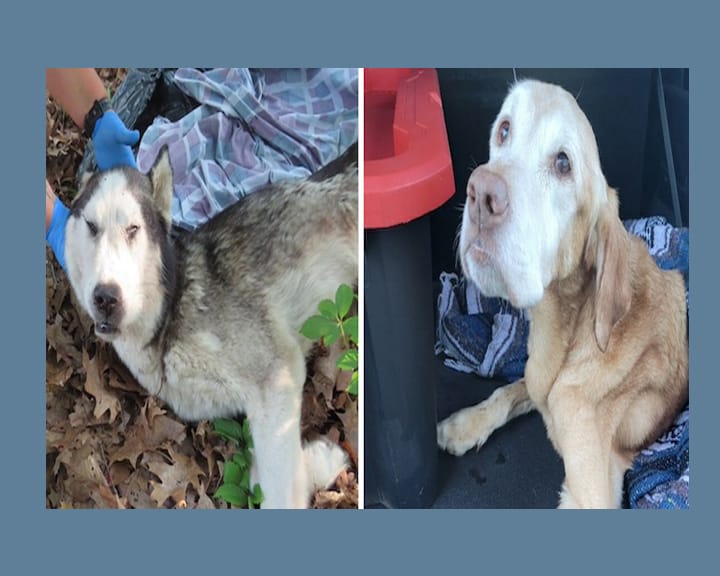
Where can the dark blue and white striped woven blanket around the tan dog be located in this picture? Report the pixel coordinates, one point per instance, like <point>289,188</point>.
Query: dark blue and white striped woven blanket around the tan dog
<point>488,337</point>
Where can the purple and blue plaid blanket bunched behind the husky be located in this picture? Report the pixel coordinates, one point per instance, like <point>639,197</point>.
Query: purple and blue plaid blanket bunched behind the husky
<point>252,127</point>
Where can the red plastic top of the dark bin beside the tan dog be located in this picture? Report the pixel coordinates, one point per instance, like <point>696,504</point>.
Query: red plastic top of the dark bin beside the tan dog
<point>408,171</point>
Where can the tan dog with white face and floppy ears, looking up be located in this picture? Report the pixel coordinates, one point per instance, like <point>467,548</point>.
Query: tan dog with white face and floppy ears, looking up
<point>608,357</point>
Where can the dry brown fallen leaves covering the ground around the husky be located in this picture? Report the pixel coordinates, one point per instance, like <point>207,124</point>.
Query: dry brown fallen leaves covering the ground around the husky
<point>111,445</point>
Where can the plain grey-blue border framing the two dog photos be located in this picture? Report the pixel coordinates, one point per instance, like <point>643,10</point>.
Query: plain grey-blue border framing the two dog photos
<point>523,34</point>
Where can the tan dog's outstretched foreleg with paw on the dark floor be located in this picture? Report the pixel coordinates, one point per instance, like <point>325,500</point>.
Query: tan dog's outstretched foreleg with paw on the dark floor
<point>472,426</point>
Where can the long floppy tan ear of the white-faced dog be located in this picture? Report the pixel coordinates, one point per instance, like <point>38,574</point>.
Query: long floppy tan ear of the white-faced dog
<point>608,249</point>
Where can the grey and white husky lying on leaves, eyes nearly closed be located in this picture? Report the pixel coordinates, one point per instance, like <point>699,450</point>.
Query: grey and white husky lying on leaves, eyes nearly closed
<point>210,321</point>
